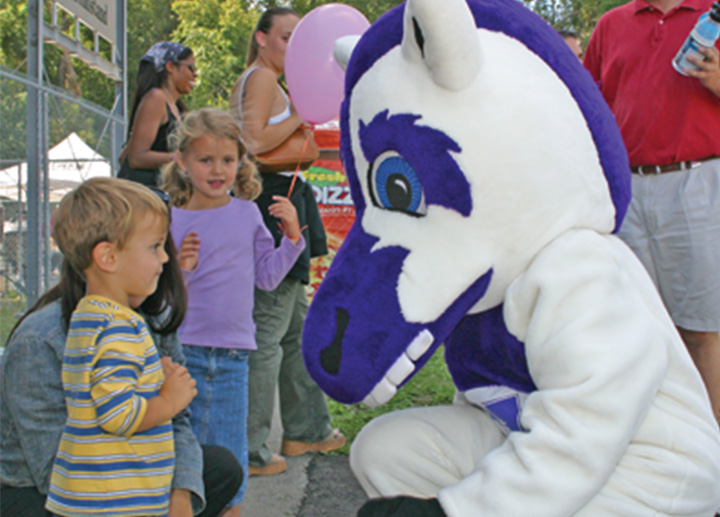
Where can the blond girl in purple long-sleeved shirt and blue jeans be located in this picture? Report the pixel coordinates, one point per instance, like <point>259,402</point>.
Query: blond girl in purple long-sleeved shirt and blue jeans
<point>226,251</point>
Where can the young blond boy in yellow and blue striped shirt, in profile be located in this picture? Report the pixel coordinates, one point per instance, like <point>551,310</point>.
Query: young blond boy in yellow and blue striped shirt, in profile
<point>116,455</point>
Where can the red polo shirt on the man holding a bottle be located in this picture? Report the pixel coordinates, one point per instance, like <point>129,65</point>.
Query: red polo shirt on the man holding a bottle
<point>664,117</point>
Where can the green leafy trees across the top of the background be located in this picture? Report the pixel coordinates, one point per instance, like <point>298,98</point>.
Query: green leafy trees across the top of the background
<point>218,31</point>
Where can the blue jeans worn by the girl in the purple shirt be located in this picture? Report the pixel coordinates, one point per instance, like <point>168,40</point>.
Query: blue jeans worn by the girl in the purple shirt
<point>219,411</point>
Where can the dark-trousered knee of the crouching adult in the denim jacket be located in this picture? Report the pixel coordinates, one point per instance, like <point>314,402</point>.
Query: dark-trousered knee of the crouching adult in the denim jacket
<point>222,477</point>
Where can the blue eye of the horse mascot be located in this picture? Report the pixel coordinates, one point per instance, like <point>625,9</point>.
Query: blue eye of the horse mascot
<point>395,185</point>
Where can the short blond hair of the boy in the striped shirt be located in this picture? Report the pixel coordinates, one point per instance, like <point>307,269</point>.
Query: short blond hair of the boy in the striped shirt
<point>101,210</point>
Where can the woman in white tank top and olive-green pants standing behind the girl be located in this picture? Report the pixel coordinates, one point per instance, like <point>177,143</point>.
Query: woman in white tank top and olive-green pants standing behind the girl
<point>267,118</point>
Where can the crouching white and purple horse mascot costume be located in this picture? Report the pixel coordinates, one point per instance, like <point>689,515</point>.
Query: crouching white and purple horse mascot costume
<point>489,176</point>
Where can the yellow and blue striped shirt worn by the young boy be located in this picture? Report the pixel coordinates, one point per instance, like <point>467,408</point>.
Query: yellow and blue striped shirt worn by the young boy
<point>103,467</point>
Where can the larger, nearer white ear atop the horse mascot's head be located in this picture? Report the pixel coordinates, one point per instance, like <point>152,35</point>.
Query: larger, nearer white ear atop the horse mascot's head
<point>444,36</point>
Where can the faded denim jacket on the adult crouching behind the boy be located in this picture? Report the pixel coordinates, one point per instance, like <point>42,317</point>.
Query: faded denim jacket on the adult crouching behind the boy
<point>32,412</point>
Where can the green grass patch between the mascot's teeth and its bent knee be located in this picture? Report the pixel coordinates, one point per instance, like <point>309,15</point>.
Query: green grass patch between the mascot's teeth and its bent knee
<point>431,386</point>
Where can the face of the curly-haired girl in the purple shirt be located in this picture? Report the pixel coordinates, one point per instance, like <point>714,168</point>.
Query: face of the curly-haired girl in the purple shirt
<point>211,163</point>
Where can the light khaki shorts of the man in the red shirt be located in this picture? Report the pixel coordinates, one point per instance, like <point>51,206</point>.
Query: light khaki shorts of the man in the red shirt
<point>673,226</point>
